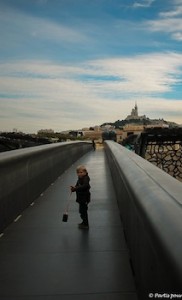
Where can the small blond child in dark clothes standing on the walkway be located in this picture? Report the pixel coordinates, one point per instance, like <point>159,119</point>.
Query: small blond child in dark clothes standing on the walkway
<point>82,189</point>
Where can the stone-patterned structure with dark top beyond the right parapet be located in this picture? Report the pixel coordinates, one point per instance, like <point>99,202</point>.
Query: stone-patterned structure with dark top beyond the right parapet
<point>163,148</point>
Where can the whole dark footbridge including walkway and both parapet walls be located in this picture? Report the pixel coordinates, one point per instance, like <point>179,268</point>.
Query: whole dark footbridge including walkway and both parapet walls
<point>133,248</point>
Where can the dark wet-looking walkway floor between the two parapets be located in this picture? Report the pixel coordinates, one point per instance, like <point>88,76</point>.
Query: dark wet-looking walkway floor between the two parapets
<point>42,258</point>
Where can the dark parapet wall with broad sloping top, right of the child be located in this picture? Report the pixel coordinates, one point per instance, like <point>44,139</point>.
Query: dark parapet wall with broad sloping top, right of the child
<point>150,203</point>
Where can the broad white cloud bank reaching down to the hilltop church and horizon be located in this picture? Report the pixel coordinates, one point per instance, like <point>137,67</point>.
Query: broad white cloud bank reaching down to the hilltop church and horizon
<point>39,95</point>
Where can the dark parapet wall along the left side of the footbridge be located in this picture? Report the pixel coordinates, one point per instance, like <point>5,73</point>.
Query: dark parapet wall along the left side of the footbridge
<point>26,173</point>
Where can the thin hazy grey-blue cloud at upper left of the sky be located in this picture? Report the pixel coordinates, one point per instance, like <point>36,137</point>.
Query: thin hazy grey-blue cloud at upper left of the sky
<point>20,28</point>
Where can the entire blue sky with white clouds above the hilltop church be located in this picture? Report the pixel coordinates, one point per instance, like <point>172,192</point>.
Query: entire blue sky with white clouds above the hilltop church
<point>71,64</point>
